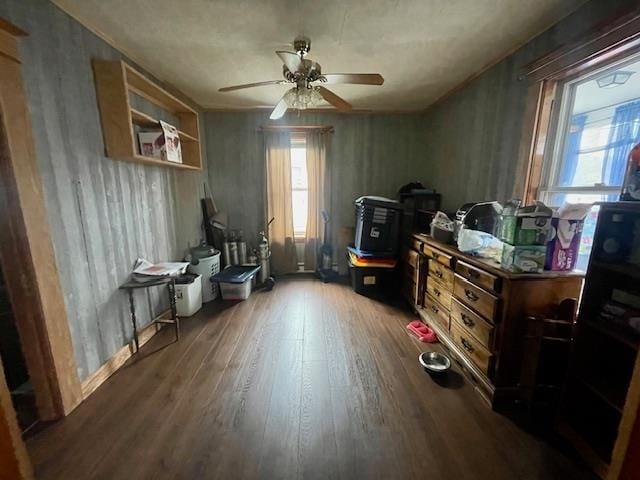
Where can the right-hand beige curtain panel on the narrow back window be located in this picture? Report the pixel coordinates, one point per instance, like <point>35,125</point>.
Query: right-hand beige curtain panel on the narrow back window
<point>319,194</point>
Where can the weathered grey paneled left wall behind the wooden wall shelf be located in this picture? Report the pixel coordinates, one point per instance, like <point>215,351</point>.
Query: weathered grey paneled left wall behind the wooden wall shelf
<point>102,214</point>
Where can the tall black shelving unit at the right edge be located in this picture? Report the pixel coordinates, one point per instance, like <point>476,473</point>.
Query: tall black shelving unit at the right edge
<point>602,393</point>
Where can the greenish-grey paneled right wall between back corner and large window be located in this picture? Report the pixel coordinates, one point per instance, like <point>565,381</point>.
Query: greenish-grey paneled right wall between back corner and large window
<point>474,147</point>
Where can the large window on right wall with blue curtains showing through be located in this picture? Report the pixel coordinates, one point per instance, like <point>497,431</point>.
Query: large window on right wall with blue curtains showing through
<point>598,122</point>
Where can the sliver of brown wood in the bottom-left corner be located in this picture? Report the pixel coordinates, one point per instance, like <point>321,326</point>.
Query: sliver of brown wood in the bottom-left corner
<point>14,460</point>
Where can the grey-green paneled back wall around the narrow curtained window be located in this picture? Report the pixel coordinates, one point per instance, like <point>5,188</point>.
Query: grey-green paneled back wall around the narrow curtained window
<point>368,155</point>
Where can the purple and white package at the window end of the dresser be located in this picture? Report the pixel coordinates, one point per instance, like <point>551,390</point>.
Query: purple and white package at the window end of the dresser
<point>563,247</point>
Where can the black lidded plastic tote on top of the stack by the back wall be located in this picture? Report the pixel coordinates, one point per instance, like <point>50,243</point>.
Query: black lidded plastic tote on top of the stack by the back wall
<point>377,225</point>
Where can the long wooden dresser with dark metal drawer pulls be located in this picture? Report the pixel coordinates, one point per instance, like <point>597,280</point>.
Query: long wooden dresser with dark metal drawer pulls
<point>478,310</point>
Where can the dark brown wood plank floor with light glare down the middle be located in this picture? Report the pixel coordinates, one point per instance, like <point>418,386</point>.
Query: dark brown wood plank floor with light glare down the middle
<point>307,381</point>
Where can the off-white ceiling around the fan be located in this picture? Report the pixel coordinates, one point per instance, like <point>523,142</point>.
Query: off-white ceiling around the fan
<point>423,48</point>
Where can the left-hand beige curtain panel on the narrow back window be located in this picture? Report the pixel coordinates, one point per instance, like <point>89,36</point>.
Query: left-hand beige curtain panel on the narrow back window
<point>279,205</point>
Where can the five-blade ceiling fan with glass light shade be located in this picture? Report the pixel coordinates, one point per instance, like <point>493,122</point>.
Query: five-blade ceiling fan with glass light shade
<point>302,73</point>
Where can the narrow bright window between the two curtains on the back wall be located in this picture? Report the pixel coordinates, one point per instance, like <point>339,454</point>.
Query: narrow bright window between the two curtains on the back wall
<point>299,185</point>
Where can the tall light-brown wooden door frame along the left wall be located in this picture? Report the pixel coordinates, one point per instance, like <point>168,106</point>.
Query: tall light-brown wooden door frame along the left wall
<point>26,249</point>
